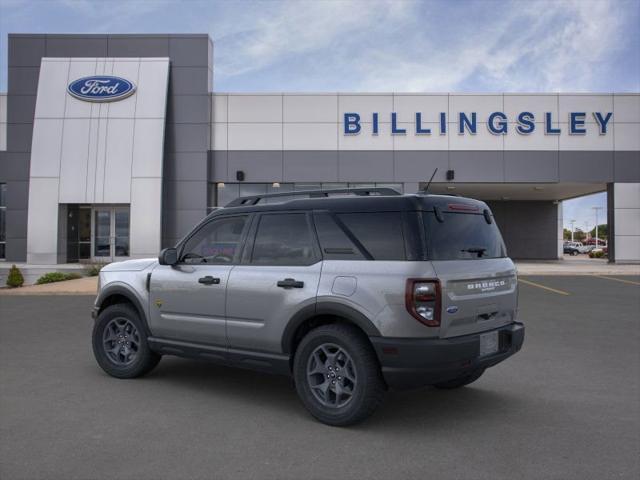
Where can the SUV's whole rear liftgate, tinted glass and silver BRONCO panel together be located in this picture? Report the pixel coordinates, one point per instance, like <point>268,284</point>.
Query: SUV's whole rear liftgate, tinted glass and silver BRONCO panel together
<point>478,281</point>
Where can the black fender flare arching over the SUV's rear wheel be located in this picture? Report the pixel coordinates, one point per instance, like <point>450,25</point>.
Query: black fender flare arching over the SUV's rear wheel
<point>326,308</point>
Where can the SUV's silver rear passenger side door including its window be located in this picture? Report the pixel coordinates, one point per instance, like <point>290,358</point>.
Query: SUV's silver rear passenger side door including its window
<point>279,276</point>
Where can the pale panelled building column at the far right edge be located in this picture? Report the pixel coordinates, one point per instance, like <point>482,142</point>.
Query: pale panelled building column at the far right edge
<point>623,208</point>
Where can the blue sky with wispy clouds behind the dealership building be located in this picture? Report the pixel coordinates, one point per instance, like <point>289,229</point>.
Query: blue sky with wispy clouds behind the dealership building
<point>369,45</point>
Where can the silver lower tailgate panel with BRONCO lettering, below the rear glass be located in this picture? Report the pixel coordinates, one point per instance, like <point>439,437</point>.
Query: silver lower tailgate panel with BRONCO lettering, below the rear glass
<point>477,295</point>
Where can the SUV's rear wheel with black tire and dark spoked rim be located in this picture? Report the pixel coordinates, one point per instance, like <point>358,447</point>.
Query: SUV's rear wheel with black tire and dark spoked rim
<point>337,375</point>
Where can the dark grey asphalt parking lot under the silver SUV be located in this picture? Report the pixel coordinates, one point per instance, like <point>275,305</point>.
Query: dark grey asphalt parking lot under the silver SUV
<point>567,406</point>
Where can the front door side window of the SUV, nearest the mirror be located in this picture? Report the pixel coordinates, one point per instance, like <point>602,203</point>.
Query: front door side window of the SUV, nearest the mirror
<point>218,242</point>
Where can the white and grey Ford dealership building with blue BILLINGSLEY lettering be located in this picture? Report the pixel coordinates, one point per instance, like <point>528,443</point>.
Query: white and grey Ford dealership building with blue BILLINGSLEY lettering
<point>113,146</point>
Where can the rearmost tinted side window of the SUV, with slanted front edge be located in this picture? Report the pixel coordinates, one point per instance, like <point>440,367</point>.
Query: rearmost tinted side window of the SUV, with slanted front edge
<point>379,233</point>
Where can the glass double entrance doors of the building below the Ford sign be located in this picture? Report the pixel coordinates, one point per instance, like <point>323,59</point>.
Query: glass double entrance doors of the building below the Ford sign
<point>110,234</point>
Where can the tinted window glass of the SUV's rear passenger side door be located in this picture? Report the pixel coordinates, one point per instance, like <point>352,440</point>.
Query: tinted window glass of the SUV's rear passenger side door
<point>283,239</point>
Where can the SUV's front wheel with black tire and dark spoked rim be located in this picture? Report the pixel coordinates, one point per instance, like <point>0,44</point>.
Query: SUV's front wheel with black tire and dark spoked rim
<point>120,343</point>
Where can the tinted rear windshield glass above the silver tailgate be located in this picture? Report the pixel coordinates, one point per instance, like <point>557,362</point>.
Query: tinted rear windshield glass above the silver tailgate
<point>462,236</point>
